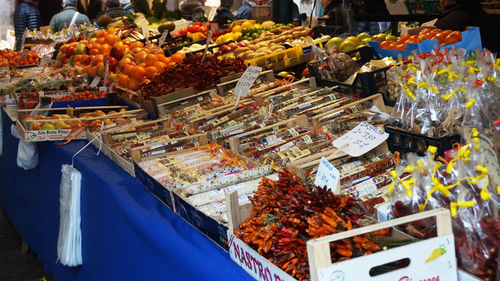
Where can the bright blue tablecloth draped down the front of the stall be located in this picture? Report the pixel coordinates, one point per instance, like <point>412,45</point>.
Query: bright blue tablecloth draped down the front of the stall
<point>127,233</point>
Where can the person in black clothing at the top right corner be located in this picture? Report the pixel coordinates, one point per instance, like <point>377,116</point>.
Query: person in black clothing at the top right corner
<point>459,14</point>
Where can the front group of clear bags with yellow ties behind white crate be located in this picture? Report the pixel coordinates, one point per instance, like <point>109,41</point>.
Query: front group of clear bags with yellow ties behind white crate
<point>468,184</point>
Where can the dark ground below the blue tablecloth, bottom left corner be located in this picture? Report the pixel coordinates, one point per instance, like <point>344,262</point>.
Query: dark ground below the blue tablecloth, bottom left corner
<point>15,266</point>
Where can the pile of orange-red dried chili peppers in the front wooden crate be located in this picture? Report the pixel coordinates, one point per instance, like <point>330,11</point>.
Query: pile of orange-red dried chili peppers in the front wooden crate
<point>288,212</point>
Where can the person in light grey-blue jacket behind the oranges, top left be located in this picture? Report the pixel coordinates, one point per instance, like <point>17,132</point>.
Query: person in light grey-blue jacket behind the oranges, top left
<point>67,17</point>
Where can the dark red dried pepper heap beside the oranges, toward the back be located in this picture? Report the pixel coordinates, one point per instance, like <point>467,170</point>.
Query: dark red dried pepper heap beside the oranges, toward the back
<point>191,73</point>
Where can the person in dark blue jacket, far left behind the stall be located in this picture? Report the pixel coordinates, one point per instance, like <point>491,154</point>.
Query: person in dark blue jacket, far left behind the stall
<point>26,16</point>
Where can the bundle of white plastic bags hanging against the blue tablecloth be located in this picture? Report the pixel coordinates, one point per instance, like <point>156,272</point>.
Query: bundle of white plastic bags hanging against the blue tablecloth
<point>69,243</point>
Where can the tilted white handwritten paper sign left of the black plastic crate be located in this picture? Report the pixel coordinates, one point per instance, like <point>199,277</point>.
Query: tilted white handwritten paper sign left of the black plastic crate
<point>361,139</point>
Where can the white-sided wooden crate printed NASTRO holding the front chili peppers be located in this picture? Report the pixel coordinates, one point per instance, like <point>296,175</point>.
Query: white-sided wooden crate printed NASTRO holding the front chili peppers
<point>321,267</point>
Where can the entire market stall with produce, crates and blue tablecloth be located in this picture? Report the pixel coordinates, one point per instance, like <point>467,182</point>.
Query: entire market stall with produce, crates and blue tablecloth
<point>297,153</point>
